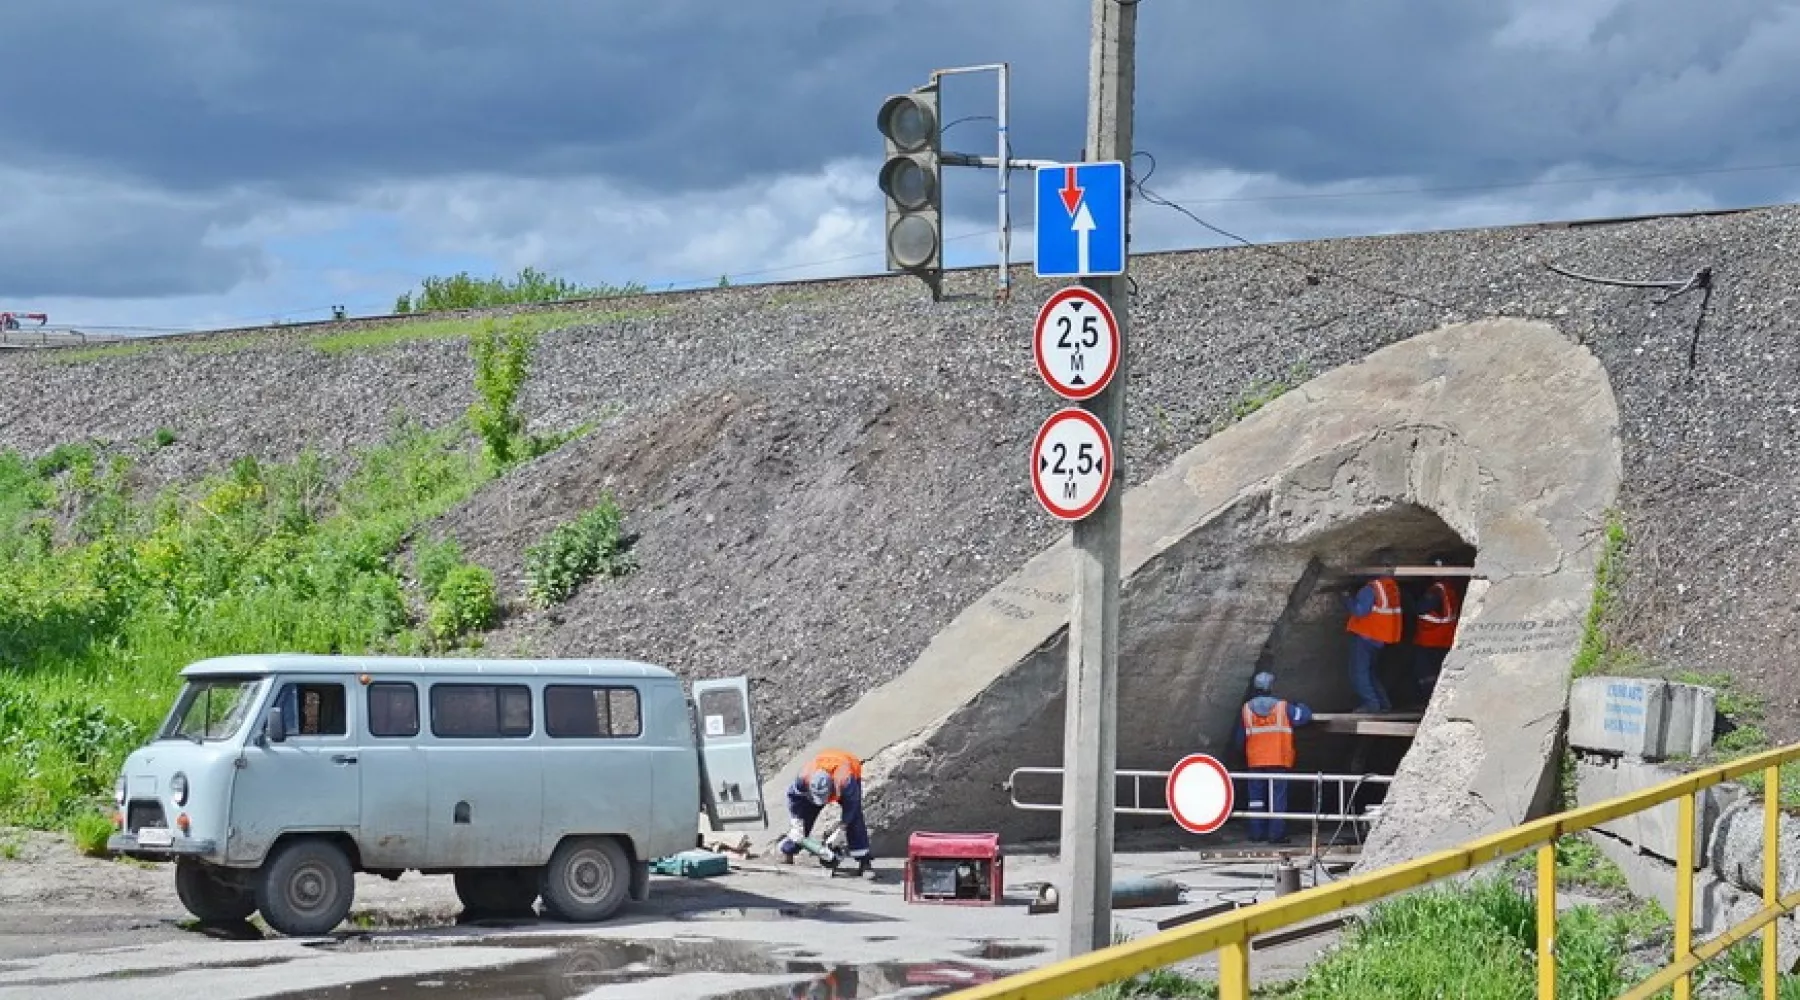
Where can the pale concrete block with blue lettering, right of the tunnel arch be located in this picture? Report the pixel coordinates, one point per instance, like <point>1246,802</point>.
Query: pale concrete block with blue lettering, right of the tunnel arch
<point>1644,719</point>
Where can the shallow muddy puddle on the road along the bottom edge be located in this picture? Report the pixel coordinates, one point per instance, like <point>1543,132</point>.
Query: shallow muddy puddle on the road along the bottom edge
<point>586,965</point>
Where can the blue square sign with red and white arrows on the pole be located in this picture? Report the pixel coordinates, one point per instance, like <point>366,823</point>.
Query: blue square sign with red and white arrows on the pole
<point>1081,220</point>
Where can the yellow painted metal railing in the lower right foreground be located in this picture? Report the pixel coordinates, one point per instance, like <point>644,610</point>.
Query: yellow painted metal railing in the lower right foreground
<point>1230,934</point>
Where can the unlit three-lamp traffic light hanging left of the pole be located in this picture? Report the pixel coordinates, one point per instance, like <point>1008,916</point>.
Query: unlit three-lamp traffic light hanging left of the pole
<point>913,183</point>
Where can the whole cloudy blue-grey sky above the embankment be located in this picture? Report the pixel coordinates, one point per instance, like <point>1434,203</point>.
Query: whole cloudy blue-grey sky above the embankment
<point>208,163</point>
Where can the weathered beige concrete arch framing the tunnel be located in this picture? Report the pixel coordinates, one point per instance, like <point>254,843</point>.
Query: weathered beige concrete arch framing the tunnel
<point>1498,434</point>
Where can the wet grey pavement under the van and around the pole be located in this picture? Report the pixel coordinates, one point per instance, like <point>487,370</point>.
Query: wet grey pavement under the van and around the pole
<point>759,933</point>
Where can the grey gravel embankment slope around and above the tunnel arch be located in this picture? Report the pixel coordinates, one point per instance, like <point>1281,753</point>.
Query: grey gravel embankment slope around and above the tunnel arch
<point>823,474</point>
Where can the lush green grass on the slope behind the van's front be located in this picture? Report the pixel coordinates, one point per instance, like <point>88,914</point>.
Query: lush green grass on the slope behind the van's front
<point>105,596</point>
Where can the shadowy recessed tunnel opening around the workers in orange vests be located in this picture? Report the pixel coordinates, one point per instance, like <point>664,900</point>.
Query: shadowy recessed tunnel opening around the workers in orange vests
<point>1236,602</point>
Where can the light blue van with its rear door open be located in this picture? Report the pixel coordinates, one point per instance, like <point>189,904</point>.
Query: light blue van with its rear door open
<point>276,778</point>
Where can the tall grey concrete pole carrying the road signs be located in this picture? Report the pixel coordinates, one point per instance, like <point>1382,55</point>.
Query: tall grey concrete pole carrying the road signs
<point>1090,729</point>
